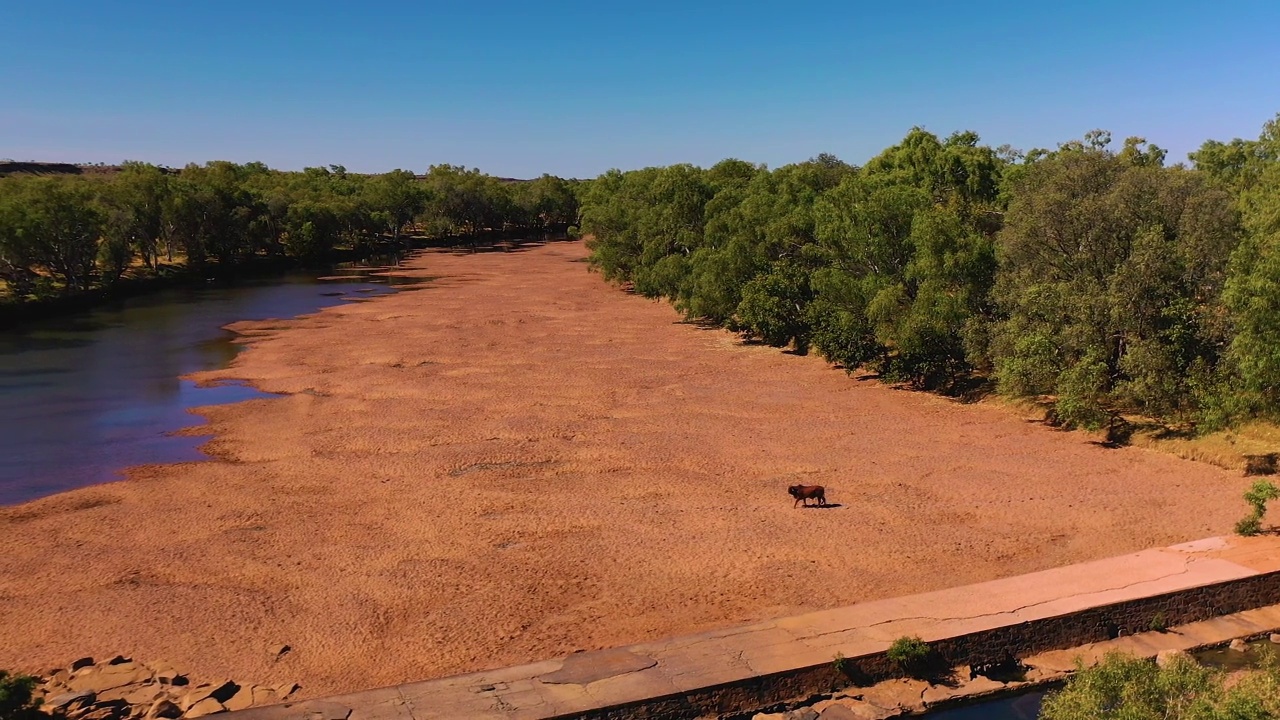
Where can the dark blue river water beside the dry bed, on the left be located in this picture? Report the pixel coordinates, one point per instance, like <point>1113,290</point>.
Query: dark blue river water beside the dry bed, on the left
<point>86,395</point>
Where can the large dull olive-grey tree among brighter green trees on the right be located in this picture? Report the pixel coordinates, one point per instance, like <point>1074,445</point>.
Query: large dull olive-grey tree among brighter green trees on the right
<point>1110,282</point>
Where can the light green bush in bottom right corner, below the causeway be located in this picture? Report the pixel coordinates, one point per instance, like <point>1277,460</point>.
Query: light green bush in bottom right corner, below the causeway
<point>1131,689</point>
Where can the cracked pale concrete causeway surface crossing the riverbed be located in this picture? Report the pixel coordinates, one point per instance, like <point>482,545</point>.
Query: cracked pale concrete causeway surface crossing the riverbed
<point>591,682</point>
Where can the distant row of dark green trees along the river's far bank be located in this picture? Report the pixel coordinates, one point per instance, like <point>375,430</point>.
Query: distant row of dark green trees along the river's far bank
<point>62,235</point>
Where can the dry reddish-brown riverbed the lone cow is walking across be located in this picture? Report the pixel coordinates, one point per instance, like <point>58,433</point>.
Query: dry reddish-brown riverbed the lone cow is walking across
<point>519,462</point>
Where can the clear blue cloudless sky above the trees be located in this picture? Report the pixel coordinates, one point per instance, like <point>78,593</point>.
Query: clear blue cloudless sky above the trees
<point>575,89</point>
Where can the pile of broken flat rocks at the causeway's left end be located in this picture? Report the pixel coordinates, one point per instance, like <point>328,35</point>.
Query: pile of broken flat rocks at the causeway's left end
<point>124,690</point>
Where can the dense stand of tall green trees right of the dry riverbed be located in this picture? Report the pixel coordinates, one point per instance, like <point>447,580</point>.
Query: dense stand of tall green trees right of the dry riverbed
<point>1095,279</point>
